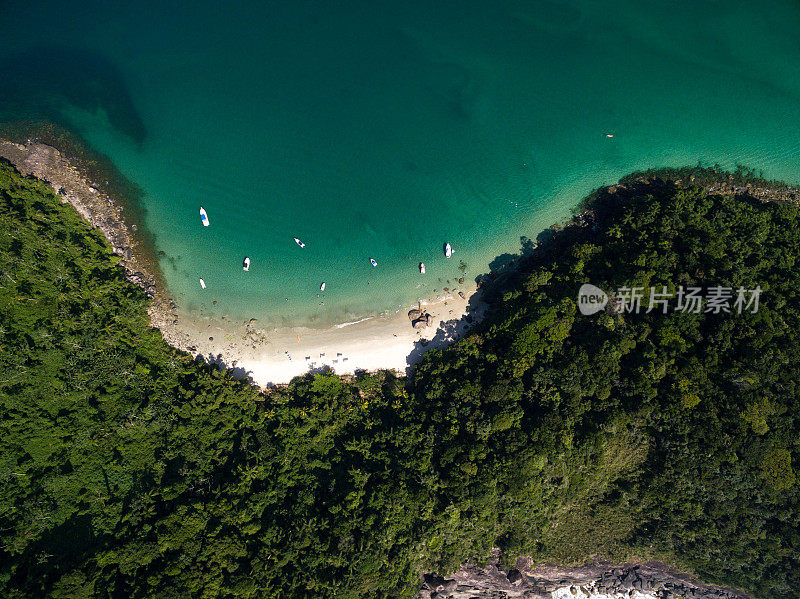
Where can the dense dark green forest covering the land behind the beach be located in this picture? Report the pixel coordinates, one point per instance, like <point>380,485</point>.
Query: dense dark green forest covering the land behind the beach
<point>127,469</point>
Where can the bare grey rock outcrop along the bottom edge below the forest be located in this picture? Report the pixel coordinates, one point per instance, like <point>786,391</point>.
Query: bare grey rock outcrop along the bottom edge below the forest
<point>526,581</point>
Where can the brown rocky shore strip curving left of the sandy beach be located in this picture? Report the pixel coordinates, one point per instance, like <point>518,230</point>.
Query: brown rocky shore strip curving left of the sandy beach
<point>105,214</point>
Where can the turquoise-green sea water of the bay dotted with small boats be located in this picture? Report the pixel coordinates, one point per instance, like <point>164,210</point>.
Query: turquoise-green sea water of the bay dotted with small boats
<point>383,129</point>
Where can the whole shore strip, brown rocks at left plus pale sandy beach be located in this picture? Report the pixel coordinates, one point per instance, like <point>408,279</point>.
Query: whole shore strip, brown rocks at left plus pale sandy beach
<point>267,356</point>
